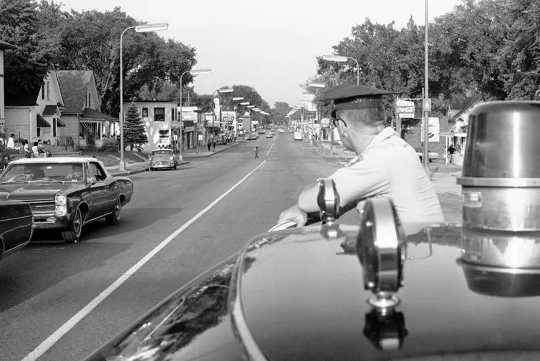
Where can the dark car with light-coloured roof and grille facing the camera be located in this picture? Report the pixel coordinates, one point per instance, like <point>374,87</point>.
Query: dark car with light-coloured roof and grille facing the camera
<point>65,193</point>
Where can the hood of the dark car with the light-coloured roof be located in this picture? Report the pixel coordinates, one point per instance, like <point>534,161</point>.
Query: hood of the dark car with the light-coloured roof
<point>33,191</point>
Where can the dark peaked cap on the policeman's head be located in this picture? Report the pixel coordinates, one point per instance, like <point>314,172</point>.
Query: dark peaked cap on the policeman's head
<point>354,96</point>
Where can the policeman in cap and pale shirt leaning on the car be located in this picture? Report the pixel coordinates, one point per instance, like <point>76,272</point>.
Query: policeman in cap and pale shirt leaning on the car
<point>385,164</point>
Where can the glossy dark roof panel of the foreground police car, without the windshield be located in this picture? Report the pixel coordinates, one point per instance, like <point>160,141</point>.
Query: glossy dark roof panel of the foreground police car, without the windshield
<point>304,299</point>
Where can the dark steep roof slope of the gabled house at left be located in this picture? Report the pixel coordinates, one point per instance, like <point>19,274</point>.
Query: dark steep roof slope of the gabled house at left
<point>74,85</point>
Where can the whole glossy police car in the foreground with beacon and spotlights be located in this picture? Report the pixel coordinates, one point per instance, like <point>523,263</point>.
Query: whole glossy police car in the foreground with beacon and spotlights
<point>380,289</point>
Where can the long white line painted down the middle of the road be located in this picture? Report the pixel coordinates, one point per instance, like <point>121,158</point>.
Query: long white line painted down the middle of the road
<point>75,319</point>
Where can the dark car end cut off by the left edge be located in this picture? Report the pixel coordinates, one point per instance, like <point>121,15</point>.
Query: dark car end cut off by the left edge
<point>15,226</point>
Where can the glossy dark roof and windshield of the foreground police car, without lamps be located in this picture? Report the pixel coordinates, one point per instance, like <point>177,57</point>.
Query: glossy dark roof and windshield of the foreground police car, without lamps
<point>298,296</point>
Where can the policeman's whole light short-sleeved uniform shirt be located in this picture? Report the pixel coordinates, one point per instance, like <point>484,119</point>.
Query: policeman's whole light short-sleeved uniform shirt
<point>390,167</point>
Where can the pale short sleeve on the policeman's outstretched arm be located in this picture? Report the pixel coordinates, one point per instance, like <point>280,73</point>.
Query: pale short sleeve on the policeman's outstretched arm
<point>365,178</point>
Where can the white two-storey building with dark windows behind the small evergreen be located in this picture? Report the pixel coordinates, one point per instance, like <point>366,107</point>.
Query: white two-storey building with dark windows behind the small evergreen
<point>160,119</point>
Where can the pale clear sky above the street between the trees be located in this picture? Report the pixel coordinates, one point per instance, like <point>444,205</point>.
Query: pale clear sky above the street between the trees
<point>269,45</point>
